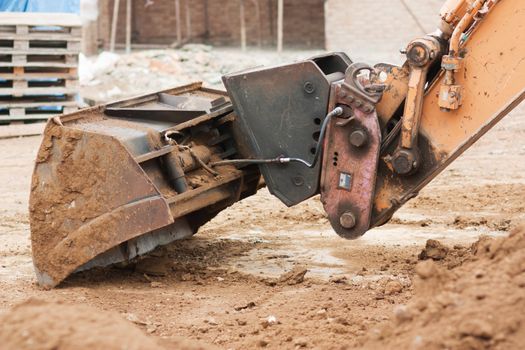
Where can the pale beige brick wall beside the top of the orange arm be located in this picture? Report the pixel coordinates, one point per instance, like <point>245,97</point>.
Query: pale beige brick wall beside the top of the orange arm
<point>375,30</point>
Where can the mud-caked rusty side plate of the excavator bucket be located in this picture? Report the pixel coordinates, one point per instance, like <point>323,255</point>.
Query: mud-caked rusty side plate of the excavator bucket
<point>74,184</point>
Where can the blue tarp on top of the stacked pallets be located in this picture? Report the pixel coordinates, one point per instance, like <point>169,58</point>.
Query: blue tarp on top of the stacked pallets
<point>71,6</point>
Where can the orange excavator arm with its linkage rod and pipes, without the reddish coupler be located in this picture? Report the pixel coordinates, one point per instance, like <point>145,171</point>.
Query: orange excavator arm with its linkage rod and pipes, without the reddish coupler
<point>480,82</point>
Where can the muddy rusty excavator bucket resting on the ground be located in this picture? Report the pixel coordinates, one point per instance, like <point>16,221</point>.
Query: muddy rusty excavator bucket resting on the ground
<point>113,182</point>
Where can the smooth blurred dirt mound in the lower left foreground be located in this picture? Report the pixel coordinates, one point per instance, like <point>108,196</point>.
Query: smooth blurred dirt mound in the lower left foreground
<point>37,324</point>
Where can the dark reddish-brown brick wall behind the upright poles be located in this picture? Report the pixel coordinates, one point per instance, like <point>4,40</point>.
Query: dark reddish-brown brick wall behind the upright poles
<point>219,24</point>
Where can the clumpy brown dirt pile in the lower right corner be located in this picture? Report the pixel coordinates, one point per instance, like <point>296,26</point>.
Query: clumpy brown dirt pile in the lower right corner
<point>470,306</point>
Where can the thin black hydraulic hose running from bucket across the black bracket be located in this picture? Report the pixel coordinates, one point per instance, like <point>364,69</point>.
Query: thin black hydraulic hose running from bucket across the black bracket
<point>335,113</point>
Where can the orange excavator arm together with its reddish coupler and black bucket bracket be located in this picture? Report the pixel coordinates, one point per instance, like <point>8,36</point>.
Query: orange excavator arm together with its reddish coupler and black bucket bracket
<point>401,126</point>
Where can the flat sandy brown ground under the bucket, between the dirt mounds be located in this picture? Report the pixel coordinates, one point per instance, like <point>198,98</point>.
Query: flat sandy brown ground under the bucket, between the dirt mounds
<point>239,282</point>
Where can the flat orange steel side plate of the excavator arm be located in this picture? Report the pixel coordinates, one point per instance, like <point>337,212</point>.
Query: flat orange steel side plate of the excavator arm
<point>492,81</point>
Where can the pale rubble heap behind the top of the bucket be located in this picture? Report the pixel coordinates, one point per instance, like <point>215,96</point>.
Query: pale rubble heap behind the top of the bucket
<point>111,76</point>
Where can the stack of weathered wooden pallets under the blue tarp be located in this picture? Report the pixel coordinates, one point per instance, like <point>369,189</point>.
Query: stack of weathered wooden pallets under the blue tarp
<point>38,65</point>
